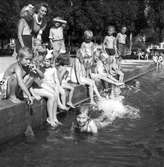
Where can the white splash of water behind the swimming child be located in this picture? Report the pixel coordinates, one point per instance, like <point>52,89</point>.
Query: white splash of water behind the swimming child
<point>114,108</point>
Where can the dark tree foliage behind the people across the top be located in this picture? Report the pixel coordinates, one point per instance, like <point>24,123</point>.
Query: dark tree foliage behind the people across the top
<point>90,14</point>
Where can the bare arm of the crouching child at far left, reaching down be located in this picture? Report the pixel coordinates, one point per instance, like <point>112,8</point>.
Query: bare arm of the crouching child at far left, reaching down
<point>21,83</point>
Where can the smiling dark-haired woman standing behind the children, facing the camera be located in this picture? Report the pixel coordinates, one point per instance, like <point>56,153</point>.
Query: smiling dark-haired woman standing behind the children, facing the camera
<point>39,21</point>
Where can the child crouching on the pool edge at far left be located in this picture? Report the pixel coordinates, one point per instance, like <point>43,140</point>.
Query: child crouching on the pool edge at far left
<point>18,74</point>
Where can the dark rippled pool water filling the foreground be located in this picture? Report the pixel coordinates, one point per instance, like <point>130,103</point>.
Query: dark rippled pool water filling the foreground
<point>125,143</point>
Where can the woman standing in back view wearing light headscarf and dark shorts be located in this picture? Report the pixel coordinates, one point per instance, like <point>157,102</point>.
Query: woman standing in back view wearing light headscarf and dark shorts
<point>25,28</point>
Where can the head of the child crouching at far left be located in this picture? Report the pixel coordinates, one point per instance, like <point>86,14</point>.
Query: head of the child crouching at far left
<point>24,56</point>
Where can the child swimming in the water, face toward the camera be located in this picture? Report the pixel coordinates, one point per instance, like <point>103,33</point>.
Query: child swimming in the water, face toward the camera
<point>85,124</point>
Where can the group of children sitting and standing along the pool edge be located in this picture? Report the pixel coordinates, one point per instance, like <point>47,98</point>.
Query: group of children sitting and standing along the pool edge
<point>38,74</point>
